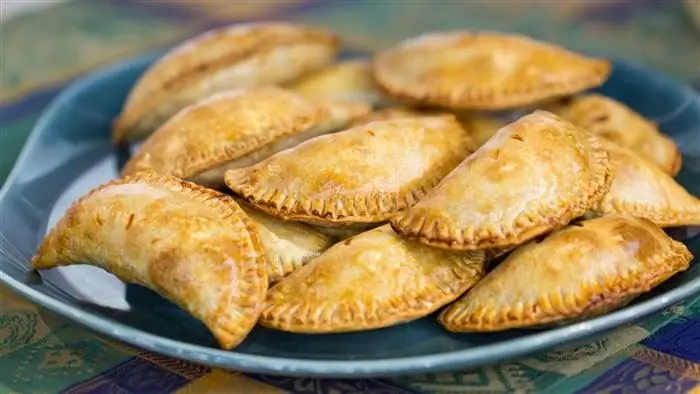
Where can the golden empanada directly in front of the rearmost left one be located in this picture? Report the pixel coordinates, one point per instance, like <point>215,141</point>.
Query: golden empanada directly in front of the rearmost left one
<point>236,129</point>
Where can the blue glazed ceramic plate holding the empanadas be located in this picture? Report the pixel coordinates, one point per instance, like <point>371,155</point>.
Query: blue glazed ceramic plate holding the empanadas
<point>69,152</point>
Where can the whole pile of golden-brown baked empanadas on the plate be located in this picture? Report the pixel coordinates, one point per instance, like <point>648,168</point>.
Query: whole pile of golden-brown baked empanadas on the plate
<point>329,217</point>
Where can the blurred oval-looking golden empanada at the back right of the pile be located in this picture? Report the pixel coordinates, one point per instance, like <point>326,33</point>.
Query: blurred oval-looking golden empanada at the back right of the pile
<point>483,70</point>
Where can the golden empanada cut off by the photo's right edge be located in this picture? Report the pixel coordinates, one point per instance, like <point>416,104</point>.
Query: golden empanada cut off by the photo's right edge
<point>640,188</point>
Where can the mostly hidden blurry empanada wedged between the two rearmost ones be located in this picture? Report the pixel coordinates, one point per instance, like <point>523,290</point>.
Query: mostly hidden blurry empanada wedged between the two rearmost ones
<point>350,81</point>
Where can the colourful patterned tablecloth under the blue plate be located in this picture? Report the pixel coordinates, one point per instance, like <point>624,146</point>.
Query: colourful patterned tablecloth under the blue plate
<point>41,52</point>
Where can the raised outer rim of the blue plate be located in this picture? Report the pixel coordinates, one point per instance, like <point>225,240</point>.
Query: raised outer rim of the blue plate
<point>251,363</point>
